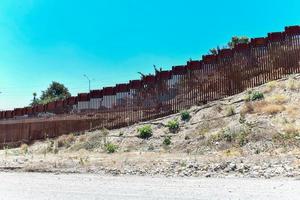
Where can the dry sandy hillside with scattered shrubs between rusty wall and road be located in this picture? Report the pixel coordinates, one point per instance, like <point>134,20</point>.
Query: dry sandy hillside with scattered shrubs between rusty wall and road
<point>252,134</point>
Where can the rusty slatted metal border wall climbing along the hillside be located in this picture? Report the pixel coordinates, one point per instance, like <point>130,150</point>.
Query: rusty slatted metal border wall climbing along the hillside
<point>215,76</point>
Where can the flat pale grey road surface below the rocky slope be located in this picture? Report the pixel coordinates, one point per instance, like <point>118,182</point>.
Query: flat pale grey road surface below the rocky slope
<point>31,186</point>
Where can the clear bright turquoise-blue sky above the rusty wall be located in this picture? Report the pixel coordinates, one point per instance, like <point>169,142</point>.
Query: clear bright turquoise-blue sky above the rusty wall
<point>111,40</point>
